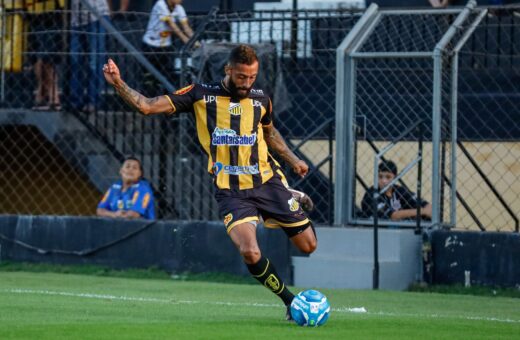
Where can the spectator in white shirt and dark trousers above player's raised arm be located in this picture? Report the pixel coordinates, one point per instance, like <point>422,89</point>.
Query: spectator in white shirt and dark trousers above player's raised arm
<point>167,18</point>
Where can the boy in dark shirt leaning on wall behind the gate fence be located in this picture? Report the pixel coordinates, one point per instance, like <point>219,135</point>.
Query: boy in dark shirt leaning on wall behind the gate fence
<point>397,203</point>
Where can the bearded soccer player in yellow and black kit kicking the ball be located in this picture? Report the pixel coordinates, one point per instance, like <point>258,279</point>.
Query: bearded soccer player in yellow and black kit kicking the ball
<point>235,127</point>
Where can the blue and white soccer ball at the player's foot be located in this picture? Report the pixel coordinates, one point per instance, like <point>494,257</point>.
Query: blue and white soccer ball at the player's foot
<point>310,308</point>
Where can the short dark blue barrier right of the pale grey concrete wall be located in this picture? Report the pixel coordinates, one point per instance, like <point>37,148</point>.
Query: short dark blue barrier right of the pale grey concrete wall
<point>493,259</point>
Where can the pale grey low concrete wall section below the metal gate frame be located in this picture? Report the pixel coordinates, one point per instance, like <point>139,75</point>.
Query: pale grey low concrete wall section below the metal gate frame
<point>344,259</point>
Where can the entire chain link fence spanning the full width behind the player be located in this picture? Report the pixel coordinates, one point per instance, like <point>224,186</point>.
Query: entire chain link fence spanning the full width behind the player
<point>62,144</point>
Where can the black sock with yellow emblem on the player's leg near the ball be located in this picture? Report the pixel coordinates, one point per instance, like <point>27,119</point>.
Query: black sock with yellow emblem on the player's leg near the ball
<point>266,274</point>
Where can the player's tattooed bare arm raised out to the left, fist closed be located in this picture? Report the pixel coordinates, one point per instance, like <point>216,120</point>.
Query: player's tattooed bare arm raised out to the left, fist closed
<point>144,105</point>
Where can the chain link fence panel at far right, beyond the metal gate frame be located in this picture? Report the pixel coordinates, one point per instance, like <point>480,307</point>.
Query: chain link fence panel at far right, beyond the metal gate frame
<point>488,147</point>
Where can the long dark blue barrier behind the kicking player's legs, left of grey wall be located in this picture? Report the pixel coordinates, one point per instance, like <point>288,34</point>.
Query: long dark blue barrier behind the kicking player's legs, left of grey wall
<point>173,246</point>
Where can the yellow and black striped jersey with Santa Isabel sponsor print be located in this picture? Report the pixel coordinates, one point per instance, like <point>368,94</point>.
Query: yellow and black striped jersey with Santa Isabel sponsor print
<point>230,131</point>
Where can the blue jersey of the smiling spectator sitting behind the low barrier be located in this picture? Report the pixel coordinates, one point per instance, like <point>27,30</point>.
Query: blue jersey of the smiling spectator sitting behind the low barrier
<point>138,198</point>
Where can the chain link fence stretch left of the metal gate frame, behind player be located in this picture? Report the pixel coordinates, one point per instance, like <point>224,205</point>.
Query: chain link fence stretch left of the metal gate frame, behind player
<point>74,136</point>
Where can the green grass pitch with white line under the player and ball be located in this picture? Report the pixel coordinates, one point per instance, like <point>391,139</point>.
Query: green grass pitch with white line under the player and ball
<point>55,306</point>
